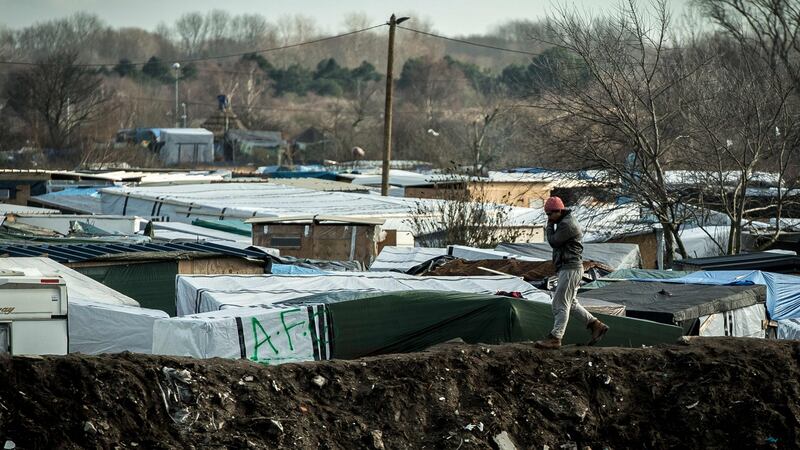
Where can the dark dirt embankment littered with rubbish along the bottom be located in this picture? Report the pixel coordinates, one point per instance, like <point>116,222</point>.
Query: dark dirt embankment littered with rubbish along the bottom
<point>722,393</point>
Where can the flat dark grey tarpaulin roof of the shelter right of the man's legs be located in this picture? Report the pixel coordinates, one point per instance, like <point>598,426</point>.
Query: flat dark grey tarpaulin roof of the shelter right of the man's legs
<point>675,303</point>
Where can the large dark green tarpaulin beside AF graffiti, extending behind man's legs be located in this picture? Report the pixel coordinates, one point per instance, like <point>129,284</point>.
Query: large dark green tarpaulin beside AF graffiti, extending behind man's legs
<point>413,321</point>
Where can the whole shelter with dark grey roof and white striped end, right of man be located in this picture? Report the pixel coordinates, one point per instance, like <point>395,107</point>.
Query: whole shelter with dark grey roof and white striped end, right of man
<point>704,310</point>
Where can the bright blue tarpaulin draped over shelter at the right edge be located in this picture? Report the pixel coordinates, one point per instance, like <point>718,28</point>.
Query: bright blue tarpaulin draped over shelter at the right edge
<point>783,291</point>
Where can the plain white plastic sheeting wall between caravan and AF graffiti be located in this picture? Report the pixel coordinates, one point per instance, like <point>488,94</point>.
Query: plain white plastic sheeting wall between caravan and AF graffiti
<point>101,328</point>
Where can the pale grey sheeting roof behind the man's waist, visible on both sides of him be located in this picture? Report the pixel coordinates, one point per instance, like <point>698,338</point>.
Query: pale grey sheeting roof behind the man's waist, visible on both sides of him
<point>616,256</point>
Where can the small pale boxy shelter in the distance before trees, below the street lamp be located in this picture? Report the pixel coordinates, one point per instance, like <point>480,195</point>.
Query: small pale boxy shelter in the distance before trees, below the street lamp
<point>185,146</point>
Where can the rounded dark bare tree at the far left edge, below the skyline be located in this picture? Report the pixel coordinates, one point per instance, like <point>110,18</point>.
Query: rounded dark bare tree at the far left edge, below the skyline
<point>57,95</point>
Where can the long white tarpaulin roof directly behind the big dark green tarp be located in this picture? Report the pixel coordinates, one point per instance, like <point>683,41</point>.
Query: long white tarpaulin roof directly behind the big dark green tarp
<point>203,293</point>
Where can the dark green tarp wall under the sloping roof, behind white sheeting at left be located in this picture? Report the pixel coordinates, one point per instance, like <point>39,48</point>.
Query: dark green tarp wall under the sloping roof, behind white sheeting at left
<point>152,284</point>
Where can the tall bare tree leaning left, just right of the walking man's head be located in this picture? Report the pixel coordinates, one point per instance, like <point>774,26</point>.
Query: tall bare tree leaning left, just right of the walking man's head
<point>621,121</point>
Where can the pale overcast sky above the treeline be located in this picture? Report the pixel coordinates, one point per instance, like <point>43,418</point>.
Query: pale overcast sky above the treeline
<point>455,17</point>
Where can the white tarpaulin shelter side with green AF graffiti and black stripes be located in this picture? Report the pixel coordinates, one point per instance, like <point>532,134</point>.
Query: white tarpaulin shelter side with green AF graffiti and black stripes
<point>264,335</point>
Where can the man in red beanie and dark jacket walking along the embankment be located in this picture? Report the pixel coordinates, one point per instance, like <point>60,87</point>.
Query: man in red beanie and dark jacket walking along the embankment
<point>564,236</point>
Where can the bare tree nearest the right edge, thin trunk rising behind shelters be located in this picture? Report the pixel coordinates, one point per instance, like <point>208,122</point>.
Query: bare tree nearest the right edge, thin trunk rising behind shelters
<point>740,119</point>
